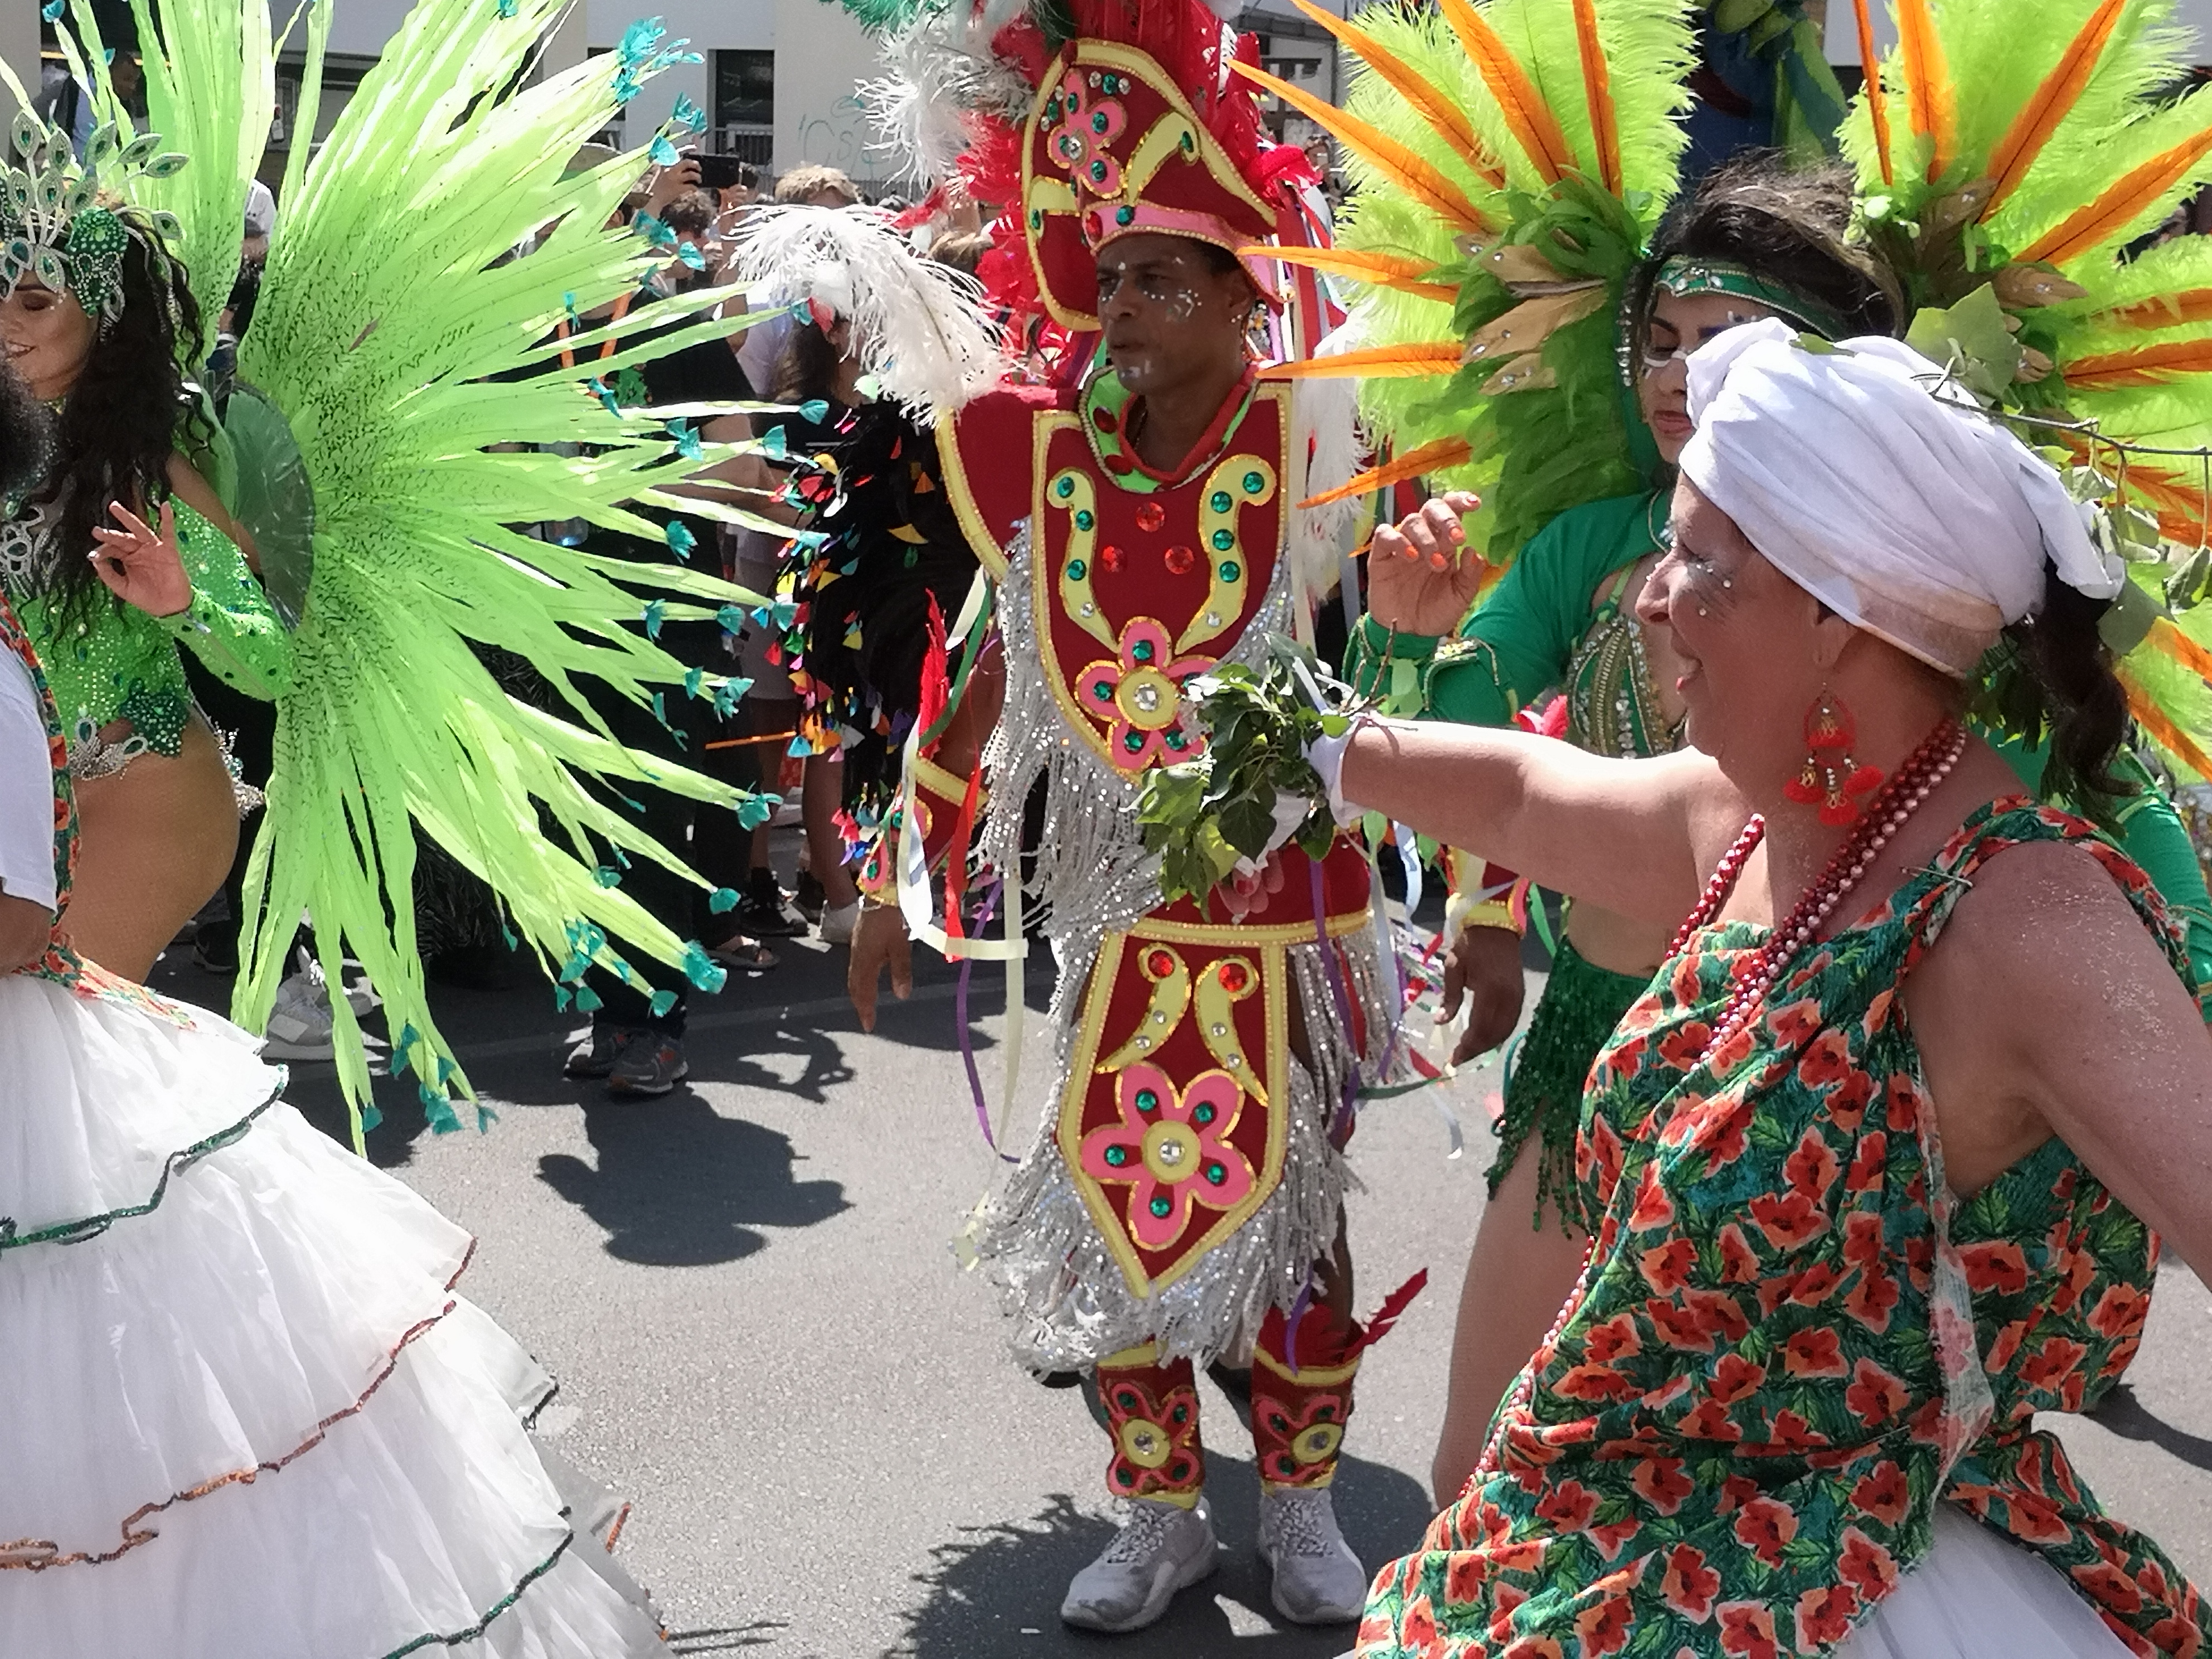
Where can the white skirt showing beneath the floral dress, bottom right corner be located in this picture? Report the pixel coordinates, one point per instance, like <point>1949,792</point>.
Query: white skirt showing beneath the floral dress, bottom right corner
<point>1981,1598</point>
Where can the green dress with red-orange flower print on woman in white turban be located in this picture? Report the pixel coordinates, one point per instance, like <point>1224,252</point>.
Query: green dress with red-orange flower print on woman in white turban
<point>1791,1339</point>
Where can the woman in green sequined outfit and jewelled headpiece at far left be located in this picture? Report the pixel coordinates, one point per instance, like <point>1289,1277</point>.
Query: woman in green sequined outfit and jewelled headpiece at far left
<point>98,320</point>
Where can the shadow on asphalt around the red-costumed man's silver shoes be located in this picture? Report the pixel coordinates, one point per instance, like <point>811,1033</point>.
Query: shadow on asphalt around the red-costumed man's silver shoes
<point>994,1592</point>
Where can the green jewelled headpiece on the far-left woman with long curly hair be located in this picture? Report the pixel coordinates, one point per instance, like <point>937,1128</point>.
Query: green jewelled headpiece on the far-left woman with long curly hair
<point>63,222</point>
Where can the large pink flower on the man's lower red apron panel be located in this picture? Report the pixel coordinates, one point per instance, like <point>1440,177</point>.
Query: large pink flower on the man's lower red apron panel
<point>1173,1151</point>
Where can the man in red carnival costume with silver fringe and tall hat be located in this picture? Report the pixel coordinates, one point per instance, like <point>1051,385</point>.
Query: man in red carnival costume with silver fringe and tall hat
<point>1185,1198</point>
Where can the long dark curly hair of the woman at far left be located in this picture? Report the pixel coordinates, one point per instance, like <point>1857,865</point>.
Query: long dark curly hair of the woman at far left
<point>121,421</point>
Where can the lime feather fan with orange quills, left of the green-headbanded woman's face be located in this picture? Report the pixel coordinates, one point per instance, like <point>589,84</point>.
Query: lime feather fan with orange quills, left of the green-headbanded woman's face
<point>1512,160</point>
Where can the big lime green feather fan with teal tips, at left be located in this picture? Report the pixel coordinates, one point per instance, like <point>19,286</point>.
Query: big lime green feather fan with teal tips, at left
<point>421,275</point>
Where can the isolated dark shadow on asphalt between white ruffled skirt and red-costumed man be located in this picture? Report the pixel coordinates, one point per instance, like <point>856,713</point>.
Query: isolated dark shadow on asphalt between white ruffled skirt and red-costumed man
<point>682,1187</point>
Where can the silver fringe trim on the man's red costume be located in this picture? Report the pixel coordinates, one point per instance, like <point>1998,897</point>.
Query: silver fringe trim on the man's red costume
<point>1058,1280</point>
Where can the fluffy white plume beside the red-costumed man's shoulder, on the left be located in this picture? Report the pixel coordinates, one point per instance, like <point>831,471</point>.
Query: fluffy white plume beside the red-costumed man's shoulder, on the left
<point>919,326</point>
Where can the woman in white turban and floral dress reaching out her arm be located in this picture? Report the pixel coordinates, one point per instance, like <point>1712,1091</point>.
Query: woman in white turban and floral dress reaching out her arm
<point>1877,1162</point>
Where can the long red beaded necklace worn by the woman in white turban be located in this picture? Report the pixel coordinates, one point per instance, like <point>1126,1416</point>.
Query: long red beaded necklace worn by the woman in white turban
<point>1910,786</point>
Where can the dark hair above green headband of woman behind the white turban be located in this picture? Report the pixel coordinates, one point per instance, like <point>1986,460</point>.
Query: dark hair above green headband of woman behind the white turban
<point>1788,225</point>
